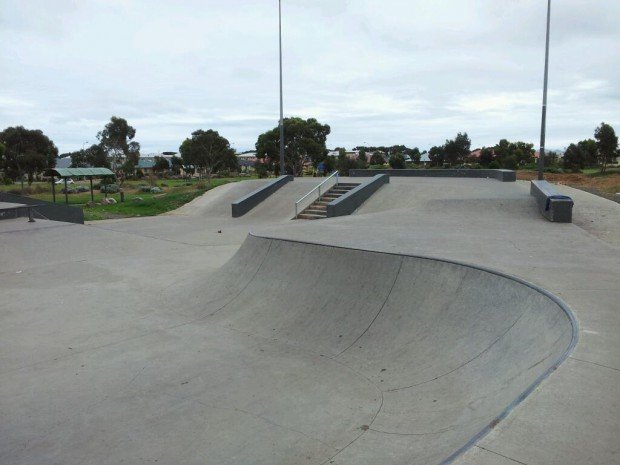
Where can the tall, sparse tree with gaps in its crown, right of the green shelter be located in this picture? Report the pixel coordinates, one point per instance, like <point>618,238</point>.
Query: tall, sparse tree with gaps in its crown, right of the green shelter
<point>116,139</point>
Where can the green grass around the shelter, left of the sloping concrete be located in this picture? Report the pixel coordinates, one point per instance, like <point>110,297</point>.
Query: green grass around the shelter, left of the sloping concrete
<point>175,193</point>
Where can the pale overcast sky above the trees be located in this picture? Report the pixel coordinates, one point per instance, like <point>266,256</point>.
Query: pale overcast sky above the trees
<point>379,72</point>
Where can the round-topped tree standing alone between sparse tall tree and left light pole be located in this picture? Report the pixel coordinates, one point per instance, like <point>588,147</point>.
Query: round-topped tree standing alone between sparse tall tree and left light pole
<point>208,152</point>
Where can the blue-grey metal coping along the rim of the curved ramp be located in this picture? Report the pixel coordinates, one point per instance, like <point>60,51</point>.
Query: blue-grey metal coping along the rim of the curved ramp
<point>510,407</point>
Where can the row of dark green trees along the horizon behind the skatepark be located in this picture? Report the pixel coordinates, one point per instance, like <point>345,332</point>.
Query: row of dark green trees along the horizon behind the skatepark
<point>26,152</point>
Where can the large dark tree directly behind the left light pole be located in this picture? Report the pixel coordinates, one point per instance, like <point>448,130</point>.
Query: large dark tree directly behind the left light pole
<point>304,142</point>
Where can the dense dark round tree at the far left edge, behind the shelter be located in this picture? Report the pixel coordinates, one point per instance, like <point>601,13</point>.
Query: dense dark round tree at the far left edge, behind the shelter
<point>27,151</point>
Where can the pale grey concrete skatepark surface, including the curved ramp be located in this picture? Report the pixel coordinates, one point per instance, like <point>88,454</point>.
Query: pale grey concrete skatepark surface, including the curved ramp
<point>166,340</point>
